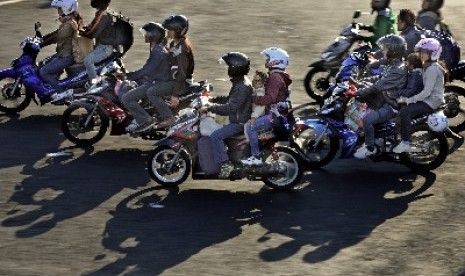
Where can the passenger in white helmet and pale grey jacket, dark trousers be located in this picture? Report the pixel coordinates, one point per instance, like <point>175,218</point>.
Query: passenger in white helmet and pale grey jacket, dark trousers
<point>432,95</point>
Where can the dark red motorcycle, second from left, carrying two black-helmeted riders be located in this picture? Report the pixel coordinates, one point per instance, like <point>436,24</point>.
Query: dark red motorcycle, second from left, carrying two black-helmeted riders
<point>87,118</point>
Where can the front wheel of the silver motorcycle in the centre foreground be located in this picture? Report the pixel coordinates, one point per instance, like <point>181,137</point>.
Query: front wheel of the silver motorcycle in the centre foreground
<point>159,170</point>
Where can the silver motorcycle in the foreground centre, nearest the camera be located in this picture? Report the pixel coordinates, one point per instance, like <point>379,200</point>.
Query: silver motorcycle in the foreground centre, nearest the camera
<point>178,154</point>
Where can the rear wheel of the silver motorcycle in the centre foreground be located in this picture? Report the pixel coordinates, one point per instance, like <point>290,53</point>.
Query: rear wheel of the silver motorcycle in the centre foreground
<point>293,169</point>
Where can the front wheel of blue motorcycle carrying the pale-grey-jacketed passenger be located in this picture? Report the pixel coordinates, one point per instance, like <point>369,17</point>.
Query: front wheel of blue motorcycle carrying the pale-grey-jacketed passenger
<point>316,155</point>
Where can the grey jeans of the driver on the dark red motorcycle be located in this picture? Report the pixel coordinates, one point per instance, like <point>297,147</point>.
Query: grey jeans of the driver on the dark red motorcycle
<point>131,101</point>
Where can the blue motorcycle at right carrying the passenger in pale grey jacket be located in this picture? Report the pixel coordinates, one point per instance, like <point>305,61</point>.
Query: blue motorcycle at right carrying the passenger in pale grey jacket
<point>319,137</point>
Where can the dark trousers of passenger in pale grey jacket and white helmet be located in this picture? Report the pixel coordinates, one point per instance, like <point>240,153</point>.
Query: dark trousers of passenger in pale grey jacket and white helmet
<point>407,113</point>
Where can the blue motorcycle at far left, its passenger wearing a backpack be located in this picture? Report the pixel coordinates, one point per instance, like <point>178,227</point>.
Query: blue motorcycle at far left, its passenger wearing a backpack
<point>21,83</point>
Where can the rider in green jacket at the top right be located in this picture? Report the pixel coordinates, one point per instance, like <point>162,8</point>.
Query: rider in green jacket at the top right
<point>385,22</point>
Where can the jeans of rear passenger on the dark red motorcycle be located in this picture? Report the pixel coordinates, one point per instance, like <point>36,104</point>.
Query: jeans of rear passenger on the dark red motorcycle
<point>157,94</point>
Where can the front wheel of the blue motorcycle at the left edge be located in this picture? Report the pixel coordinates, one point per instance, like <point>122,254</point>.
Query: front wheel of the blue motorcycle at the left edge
<point>12,102</point>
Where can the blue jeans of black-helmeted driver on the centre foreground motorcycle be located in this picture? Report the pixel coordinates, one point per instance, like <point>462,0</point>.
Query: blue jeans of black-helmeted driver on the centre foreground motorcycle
<point>220,153</point>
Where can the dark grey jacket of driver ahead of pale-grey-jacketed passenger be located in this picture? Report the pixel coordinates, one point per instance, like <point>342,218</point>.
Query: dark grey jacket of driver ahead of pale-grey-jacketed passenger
<point>394,77</point>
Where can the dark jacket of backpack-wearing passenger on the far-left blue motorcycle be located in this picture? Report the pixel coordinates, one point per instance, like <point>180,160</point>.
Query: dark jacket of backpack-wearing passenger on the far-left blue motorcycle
<point>101,29</point>
